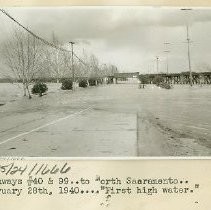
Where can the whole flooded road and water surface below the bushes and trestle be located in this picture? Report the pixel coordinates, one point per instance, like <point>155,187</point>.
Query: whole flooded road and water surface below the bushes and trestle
<point>122,120</point>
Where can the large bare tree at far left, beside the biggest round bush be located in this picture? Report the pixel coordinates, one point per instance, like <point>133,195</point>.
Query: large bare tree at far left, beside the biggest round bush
<point>22,56</point>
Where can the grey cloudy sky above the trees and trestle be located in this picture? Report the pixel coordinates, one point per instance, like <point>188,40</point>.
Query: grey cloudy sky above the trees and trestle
<point>128,37</point>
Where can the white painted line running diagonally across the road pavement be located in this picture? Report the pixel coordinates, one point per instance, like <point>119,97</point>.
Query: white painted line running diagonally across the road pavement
<point>45,125</point>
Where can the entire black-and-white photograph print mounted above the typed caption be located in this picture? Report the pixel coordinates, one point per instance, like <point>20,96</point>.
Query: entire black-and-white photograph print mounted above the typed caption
<point>105,81</point>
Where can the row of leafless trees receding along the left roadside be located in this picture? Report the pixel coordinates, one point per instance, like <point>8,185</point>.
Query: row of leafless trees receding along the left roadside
<point>29,59</point>
